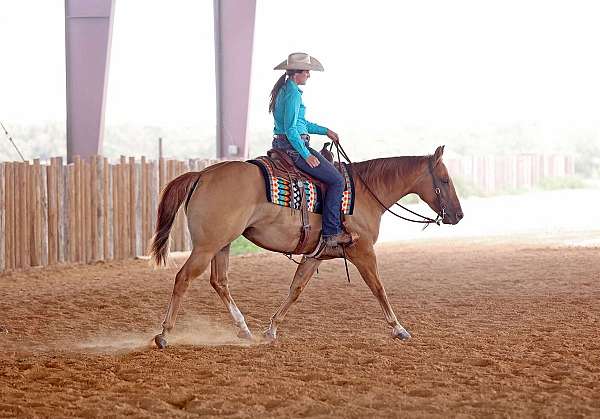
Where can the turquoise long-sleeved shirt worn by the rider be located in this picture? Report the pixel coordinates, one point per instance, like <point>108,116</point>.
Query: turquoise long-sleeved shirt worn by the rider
<point>289,117</point>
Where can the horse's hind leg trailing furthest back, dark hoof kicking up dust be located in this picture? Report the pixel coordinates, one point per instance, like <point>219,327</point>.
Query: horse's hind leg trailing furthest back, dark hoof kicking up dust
<point>193,267</point>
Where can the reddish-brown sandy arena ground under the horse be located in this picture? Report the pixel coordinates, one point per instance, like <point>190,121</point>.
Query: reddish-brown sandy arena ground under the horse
<point>500,329</point>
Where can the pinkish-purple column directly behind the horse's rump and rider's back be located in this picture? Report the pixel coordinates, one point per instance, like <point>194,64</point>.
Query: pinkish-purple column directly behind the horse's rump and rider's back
<point>234,34</point>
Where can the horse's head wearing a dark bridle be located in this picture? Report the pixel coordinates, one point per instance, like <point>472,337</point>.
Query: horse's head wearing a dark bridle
<point>436,188</point>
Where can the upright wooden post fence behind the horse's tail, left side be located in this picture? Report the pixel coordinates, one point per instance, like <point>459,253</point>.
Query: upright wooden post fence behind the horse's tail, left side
<point>85,211</point>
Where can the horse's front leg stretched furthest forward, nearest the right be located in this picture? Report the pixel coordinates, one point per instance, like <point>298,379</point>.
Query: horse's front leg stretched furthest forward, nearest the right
<point>365,261</point>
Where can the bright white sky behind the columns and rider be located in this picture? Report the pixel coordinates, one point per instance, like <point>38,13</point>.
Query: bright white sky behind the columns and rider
<point>388,64</point>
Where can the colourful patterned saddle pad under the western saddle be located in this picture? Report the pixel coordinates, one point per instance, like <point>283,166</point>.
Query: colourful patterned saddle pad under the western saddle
<point>281,192</point>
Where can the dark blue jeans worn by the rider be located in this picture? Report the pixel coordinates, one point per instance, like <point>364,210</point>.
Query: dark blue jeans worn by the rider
<point>328,174</point>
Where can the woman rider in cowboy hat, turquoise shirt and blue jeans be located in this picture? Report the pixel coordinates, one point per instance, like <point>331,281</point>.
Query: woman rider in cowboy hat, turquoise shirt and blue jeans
<point>291,134</point>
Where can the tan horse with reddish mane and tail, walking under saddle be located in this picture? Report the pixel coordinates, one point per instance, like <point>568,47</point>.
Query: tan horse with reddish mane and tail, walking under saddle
<point>228,199</point>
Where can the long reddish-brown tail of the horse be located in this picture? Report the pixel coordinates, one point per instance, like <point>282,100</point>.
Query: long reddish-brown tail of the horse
<point>171,199</point>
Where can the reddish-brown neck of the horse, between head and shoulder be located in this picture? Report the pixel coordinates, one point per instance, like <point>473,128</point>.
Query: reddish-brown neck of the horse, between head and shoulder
<point>391,178</point>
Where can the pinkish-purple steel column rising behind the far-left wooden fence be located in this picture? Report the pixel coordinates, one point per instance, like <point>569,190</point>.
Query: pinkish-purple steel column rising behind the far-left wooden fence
<point>88,29</point>
